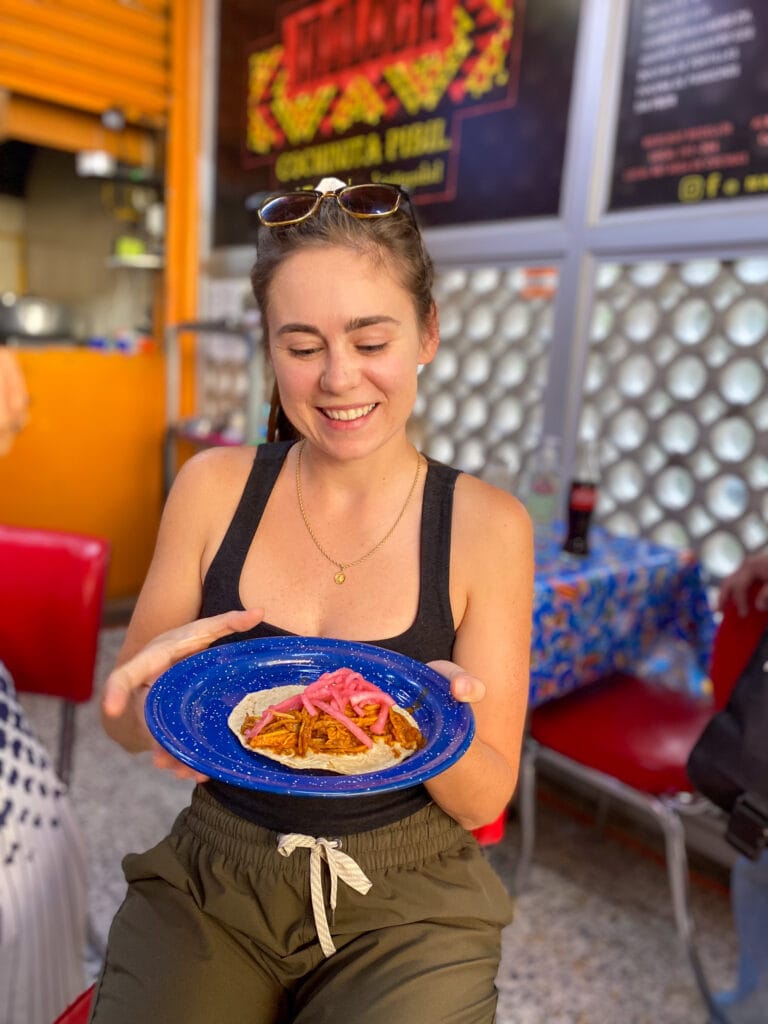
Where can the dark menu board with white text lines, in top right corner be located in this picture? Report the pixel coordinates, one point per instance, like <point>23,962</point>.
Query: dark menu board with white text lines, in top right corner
<point>694,117</point>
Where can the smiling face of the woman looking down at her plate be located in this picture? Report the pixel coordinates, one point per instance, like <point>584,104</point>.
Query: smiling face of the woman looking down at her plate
<point>346,346</point>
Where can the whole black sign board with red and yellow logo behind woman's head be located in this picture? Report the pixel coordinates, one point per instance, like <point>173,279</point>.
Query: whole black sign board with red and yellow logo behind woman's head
<point>465,104</point>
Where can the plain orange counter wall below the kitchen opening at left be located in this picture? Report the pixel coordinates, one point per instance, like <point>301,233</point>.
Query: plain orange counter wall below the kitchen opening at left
<point>91,459</point>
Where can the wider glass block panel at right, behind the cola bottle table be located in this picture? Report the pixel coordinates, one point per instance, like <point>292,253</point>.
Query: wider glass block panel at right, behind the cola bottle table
<point>675,391</point>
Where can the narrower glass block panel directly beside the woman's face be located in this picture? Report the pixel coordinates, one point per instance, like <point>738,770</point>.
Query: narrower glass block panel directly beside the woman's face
<point>482,400</point>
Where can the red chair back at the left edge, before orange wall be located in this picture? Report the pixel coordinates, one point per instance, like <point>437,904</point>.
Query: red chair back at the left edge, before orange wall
<point>52,599</point>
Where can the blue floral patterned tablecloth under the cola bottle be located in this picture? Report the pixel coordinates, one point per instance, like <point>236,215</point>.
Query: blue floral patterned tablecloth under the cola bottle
<point>629,606</point>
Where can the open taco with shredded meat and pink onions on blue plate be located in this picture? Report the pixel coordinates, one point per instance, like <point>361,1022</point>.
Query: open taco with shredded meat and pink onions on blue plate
<point>339,723</point>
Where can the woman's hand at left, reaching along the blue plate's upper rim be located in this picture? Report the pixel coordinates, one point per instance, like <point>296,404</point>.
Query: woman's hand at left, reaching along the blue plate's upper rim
<point>142,670</point>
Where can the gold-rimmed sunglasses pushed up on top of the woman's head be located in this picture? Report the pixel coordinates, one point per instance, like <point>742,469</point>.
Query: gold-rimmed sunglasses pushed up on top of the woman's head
<point>364,202</point>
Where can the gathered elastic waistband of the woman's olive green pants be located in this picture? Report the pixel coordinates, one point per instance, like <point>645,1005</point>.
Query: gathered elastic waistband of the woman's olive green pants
<point>411,841</point>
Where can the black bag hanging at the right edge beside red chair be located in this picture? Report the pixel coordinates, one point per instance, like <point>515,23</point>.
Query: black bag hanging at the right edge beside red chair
<point>730,762</point>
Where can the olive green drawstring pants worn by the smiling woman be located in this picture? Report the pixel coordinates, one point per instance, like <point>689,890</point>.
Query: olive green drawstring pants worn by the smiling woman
<point>218,926</point>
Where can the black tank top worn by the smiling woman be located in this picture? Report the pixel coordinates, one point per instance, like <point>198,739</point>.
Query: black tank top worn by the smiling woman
<point>430,637</point>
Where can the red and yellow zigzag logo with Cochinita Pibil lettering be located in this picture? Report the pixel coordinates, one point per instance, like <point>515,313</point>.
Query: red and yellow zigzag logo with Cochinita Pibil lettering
<point>381,88</point>
